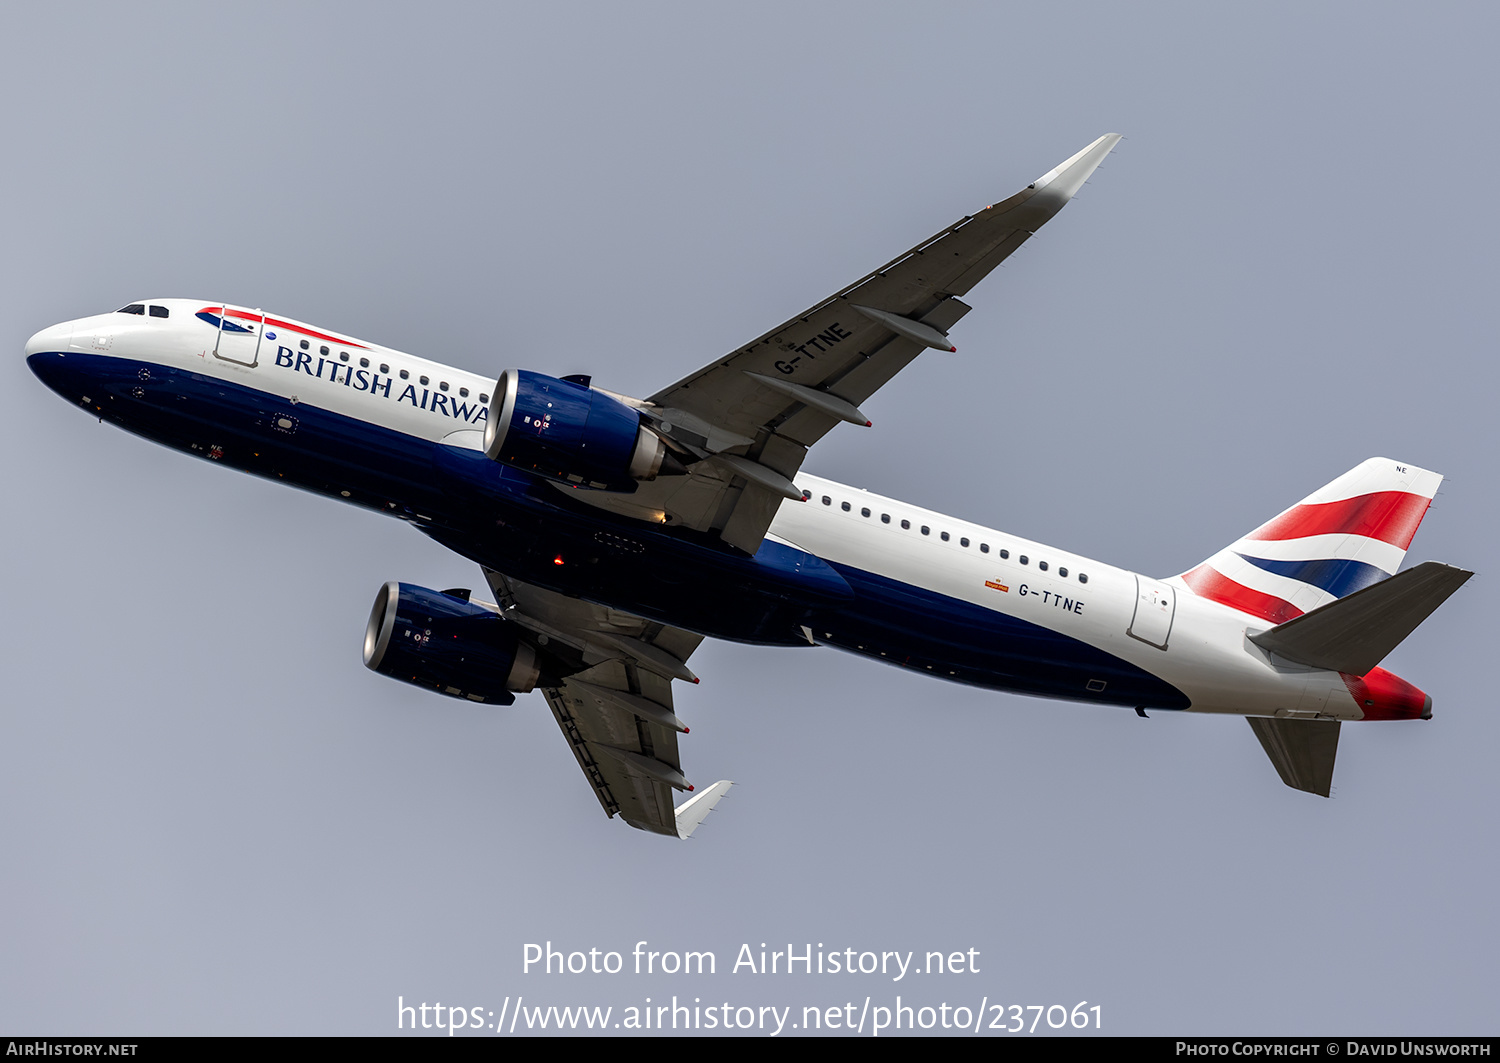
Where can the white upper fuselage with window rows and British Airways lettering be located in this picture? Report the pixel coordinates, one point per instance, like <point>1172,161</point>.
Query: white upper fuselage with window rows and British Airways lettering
<point>1193,644</point>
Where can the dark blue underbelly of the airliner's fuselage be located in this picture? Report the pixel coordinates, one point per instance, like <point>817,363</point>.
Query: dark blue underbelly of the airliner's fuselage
<point>512,523</point>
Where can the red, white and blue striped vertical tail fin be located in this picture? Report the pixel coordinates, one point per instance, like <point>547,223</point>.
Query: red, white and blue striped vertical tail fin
<point>1340,539</point>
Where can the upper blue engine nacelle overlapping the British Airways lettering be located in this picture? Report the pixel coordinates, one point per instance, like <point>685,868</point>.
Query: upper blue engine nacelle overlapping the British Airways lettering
<point>569,433</point>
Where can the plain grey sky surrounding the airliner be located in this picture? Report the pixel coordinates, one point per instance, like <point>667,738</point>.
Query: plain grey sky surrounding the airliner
<point>217,821</point>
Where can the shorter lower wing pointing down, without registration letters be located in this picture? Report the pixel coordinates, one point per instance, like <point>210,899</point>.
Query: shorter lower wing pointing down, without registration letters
<point>616,713</point>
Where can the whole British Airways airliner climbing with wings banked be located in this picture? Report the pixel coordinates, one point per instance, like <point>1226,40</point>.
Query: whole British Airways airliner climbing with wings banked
<point>616,533</point>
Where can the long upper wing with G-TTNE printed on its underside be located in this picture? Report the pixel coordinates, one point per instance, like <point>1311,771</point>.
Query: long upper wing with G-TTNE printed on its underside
<point>743,424</point>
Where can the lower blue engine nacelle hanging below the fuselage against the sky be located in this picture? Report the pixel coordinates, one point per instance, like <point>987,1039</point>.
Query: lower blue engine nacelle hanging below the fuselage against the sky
<point>446,644</point>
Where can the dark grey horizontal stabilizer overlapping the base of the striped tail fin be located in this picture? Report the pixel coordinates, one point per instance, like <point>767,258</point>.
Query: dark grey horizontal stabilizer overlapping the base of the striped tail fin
<point>1357,632</point>
